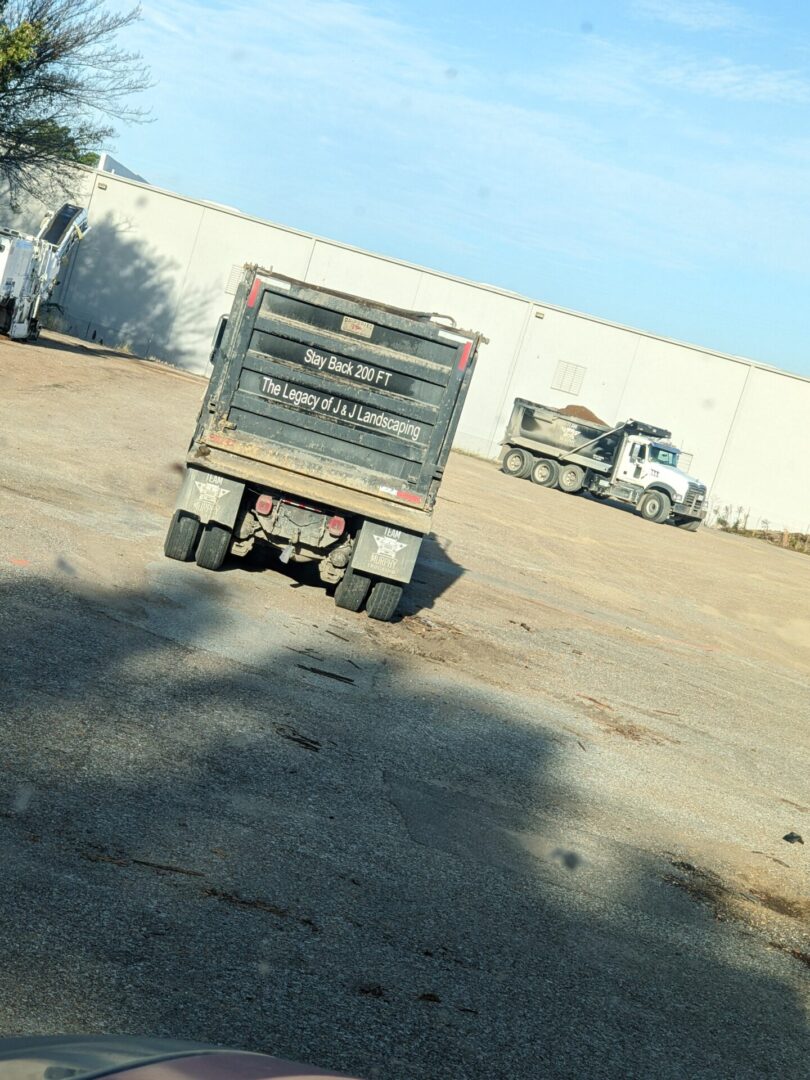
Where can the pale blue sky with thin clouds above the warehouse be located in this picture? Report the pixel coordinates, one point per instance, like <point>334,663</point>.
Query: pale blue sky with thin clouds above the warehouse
<point>646,161</point>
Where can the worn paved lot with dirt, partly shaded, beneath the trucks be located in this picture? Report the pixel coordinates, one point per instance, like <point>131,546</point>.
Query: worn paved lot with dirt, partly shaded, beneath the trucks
<point>534,828</point>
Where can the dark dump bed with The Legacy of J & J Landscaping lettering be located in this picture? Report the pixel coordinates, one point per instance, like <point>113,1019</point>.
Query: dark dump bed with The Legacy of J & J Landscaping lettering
<point>315,389</point>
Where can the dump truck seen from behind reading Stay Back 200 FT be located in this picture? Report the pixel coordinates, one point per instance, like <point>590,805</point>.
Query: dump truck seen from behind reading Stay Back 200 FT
<point>323,437</point>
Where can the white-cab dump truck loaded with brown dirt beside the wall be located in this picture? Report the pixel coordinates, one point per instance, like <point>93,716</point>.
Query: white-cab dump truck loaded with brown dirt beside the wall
<point>633,462</point>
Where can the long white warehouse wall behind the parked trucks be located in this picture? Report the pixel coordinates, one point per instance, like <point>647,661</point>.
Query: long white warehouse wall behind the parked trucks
<point>158,269</point>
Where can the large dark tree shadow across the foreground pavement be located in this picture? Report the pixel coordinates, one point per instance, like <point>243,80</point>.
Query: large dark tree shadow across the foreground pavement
<point>306,852</point>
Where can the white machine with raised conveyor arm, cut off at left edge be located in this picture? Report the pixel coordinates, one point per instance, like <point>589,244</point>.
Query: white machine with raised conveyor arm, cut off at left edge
<point>30,267</point>
